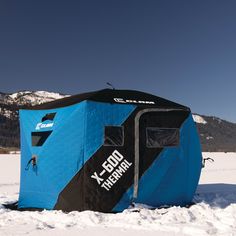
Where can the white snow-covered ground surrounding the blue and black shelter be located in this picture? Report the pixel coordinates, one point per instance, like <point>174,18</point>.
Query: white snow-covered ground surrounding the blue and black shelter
<point>213,214</point>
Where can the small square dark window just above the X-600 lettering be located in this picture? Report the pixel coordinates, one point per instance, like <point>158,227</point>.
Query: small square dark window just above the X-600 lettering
<point>114,136</point>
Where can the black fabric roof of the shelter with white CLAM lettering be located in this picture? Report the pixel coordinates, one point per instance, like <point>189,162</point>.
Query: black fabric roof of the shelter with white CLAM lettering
<point>112,96</point>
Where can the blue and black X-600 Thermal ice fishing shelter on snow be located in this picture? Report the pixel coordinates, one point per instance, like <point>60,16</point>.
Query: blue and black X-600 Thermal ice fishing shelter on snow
<point>107,149</point>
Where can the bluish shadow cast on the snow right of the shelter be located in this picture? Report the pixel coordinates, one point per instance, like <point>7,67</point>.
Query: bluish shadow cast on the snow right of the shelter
<point>216,195</point>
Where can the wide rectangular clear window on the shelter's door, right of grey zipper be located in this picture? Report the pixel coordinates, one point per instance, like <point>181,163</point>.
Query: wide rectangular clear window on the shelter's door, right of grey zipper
<point>162,137</point>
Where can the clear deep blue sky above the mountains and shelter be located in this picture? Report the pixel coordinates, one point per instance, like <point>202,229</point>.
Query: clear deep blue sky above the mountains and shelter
<point>182,50</point>
